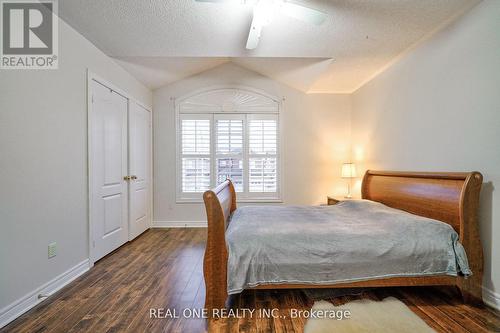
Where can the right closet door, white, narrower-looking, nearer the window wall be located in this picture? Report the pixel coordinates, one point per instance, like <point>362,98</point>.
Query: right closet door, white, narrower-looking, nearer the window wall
<point>139,162</point>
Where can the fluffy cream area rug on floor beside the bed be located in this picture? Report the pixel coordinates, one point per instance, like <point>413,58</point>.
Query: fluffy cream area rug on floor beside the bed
<point>389,315</point>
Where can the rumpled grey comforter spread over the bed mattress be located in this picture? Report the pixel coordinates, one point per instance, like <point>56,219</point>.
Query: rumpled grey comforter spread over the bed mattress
<point>351,241</point>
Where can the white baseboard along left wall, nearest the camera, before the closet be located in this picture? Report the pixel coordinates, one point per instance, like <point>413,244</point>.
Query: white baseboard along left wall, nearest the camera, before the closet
<point>17,308</point>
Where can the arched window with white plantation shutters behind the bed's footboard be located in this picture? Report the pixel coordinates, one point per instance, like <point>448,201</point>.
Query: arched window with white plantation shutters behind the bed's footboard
<point>229,133</point>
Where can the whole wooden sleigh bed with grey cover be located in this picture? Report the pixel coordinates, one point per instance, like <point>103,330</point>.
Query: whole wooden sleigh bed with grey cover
<point>427,235</point>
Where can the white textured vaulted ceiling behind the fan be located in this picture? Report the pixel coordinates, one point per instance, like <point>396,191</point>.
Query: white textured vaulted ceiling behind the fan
<point>159,41</point>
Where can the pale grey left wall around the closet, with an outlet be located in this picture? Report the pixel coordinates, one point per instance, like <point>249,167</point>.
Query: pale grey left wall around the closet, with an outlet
<point>43,163</point>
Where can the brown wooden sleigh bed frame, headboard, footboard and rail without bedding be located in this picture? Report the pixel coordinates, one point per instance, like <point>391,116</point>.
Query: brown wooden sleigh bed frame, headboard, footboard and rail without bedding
<point>452,198</point>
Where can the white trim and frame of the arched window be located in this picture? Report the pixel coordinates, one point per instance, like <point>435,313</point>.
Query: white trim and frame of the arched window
<point>274,197</point>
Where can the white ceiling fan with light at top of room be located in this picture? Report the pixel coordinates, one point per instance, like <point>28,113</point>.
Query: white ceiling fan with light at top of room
<point>264,12</point>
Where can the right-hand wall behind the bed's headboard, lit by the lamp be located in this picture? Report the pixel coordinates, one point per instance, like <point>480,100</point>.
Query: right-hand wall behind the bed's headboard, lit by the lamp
<point>438,109</point>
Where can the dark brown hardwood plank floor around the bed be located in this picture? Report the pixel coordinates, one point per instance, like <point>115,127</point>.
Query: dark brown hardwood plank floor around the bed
<point>163,269</point>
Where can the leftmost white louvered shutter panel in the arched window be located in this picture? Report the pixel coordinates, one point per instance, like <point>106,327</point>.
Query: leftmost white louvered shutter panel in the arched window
<point>195,150</point>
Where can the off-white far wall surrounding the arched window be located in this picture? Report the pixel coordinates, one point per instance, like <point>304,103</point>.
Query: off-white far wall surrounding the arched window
<point>316,140</point>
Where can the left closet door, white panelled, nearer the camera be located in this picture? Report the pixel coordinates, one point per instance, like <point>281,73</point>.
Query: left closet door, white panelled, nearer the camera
<point>108,163</point>
